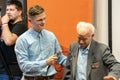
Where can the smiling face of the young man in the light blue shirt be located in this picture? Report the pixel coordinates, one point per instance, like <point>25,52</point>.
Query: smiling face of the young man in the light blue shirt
<point>38,21</point>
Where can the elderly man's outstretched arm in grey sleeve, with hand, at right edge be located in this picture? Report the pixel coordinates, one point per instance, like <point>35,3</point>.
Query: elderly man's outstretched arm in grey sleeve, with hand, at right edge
<point>112,64</point>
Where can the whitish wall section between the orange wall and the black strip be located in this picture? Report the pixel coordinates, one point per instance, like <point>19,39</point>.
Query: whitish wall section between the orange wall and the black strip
<point>100,20</point>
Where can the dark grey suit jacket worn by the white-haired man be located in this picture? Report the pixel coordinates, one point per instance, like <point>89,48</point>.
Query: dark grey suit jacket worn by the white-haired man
<point>100,62</point>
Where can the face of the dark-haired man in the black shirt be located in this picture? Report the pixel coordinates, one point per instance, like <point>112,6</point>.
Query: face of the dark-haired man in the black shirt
<point>12,12</point>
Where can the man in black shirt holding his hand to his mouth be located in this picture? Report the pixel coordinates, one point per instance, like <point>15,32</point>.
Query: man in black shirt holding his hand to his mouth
<point>12,27</point>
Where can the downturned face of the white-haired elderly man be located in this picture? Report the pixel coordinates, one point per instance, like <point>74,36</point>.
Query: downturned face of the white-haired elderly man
<point>84,38</point>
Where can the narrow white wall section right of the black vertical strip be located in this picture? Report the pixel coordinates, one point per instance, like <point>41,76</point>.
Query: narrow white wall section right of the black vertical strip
<point>116,28</point>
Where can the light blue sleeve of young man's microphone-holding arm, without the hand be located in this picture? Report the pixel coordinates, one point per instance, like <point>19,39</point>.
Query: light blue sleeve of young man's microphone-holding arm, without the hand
<point>26,65</point>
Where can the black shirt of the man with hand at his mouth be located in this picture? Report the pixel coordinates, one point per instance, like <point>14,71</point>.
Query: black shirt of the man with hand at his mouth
<point>8,51</point>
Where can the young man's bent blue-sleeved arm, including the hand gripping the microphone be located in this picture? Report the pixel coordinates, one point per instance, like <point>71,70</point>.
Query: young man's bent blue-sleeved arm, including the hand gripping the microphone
<point>26,62</point>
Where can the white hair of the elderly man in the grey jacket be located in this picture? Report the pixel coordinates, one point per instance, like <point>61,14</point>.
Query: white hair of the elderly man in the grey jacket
<point>87,25</point>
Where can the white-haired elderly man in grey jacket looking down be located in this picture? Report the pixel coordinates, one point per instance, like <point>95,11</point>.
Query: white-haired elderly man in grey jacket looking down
<point>88,59</point>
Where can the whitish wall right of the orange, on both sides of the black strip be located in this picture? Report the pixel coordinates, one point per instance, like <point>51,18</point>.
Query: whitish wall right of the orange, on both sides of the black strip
<point>100,21</point>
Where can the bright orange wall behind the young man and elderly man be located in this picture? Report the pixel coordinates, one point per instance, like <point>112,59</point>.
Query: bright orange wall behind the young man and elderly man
<point>63,15</point>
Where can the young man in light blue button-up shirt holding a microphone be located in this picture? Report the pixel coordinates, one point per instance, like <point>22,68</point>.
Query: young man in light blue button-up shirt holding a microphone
<point>38,49</point>
